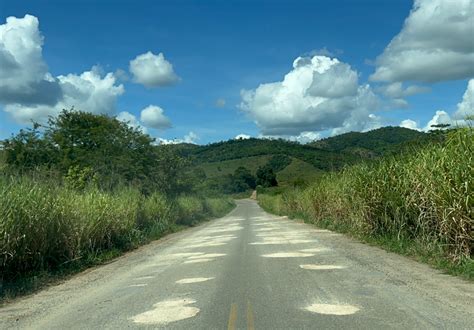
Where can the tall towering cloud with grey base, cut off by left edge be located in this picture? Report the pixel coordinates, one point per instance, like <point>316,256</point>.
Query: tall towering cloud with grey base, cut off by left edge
<point>24,76</point>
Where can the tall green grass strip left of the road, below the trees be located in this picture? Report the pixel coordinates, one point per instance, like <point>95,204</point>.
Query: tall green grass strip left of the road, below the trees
<point>44,226</point>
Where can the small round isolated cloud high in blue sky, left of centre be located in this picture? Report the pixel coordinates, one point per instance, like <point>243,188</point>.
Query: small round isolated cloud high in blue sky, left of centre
<point>152,70</point>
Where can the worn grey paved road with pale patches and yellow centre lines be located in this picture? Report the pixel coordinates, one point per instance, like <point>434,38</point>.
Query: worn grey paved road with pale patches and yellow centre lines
<point>251,270</point>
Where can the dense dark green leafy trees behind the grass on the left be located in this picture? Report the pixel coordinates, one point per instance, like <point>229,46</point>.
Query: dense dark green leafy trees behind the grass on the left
<point>87,147</point>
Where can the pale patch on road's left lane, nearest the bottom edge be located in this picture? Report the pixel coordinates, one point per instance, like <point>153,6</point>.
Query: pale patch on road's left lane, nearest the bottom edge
<point>167,311</point>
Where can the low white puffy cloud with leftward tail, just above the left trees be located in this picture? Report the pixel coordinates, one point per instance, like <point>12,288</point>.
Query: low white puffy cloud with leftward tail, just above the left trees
<point>86,92</point>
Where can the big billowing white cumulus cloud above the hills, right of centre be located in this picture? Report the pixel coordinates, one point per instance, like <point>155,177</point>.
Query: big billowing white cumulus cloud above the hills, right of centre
<point>301,103</point>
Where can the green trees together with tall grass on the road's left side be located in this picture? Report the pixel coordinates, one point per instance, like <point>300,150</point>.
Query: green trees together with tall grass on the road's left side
<point>85,188</point>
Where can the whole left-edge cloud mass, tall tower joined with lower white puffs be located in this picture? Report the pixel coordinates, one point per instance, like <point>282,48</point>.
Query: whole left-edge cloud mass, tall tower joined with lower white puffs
<point>29,92</point>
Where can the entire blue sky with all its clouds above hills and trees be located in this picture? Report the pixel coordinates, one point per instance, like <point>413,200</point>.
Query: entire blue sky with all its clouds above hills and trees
<point>207,71</point>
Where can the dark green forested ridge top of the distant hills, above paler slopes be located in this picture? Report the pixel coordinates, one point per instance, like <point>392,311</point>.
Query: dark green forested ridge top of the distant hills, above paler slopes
<point>325,154</point>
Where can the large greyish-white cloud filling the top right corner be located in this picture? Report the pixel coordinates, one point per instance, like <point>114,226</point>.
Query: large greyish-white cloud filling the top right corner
<point>435,44</point>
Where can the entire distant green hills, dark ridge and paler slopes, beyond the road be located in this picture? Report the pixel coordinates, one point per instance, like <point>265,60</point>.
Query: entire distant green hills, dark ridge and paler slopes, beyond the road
<point>306,162</point>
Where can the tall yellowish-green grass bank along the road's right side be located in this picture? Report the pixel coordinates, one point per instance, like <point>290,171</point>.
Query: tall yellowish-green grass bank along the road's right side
<point>425,196</point>
